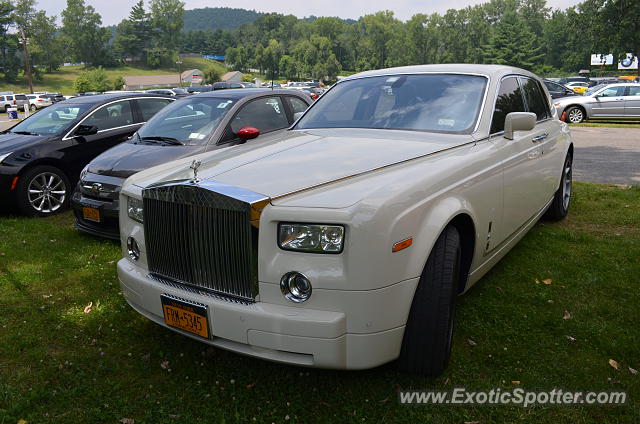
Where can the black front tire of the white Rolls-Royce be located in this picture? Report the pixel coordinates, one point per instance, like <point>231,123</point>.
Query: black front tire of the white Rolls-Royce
<point>426,345</point>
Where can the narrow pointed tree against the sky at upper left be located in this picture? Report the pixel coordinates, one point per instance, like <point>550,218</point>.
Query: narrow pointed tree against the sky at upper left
<point>134,35</point>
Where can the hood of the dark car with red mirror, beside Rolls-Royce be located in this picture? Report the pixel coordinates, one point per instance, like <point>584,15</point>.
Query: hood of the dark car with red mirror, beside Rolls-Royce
<point>126,159</point>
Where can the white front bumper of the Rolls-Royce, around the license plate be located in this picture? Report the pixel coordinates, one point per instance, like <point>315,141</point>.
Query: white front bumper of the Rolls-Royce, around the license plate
<point>292,335</point>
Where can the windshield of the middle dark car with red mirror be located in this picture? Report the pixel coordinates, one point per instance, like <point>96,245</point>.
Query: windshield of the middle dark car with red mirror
<point>188,121</point>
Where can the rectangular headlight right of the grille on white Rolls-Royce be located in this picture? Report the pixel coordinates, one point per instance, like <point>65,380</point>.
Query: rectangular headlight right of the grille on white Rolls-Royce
<point>312,238</point>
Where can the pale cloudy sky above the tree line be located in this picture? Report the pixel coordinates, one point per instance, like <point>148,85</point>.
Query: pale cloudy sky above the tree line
<point>113,11</point>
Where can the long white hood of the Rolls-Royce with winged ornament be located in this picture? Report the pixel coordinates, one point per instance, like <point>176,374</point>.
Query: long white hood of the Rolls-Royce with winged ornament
<point>298,160</point>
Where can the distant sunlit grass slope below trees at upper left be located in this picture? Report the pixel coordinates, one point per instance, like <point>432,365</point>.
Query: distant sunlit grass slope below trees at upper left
<point>62,80</point>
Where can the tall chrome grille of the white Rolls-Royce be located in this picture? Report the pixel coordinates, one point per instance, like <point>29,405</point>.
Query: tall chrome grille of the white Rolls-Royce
<point>202,238</point>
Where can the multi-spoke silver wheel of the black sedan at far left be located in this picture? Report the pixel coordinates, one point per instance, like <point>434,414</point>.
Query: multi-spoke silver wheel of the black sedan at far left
<point>43,191</point>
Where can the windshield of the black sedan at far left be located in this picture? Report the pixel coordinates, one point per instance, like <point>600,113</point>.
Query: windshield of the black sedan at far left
<point>52,120</point>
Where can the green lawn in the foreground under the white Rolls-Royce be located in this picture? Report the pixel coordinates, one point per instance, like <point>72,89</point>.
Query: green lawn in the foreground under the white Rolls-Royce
<point>60,365</point>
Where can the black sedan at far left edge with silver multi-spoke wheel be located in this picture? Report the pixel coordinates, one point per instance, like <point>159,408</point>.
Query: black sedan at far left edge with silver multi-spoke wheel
<point>41,157</point>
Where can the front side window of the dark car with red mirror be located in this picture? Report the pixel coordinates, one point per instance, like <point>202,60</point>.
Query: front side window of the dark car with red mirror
<point>266,114</point>
